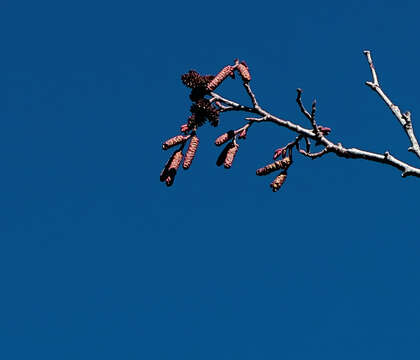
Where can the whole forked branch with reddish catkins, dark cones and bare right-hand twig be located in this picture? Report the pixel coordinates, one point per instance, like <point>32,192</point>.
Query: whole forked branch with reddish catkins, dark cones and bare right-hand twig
<point>204,108</point>
